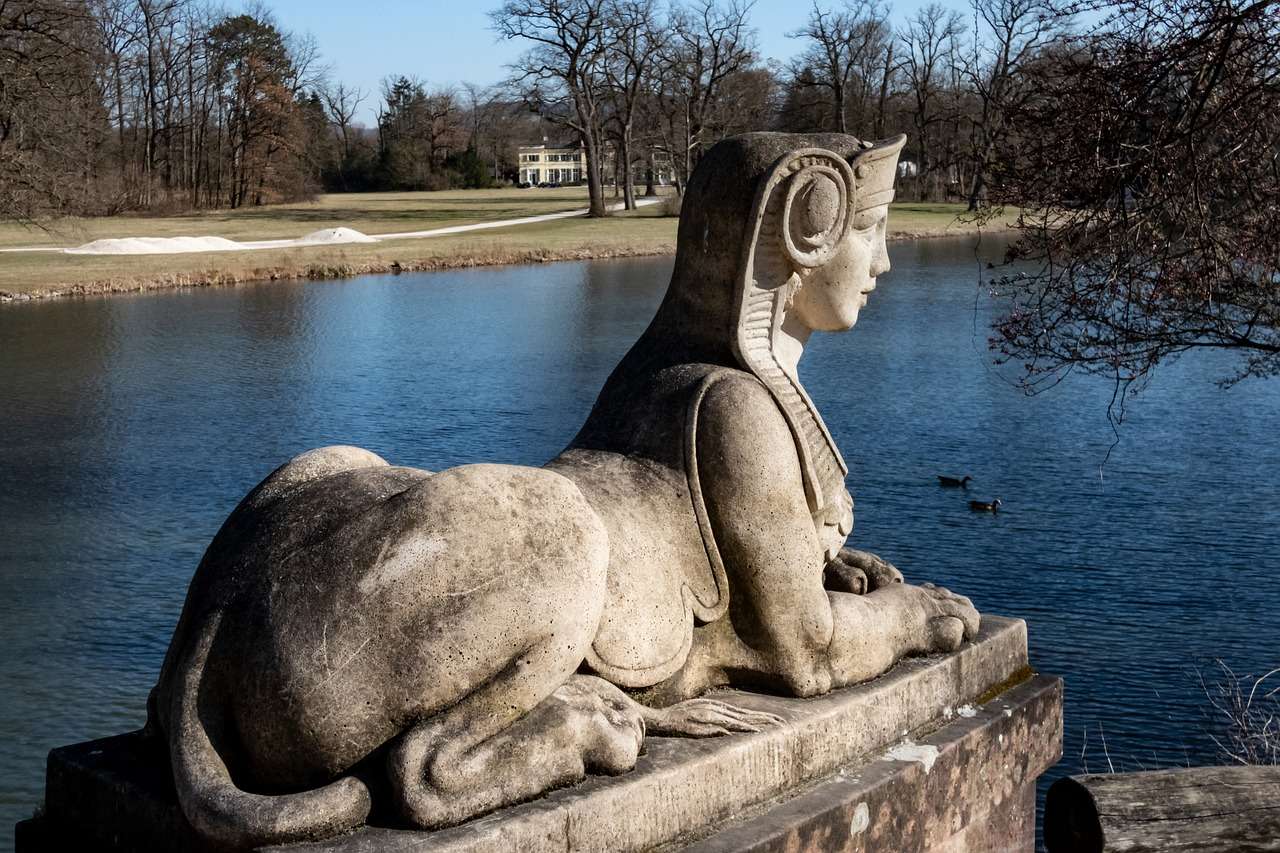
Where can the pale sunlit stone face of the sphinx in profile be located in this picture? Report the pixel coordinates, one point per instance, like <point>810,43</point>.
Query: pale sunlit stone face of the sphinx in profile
<point>831,297</point>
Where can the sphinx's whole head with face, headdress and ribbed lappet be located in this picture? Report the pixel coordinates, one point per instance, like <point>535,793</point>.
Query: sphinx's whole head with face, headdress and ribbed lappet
<point>780,236</point>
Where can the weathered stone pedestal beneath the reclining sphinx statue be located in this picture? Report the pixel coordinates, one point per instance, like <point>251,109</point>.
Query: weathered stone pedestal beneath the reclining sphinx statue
<point>941,754</point>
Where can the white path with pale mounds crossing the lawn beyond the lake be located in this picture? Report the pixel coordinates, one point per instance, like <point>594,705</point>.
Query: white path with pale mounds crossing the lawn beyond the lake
<point>184,245</point>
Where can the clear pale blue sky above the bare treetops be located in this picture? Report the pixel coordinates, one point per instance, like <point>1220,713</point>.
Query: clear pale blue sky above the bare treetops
<point>450,42</point>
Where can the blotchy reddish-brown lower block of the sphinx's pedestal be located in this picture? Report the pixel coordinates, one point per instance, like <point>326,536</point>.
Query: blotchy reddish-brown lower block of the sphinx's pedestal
<point>973,791</point>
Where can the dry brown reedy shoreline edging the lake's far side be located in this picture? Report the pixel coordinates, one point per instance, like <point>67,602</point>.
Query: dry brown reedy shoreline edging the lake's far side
<point>328,268</point>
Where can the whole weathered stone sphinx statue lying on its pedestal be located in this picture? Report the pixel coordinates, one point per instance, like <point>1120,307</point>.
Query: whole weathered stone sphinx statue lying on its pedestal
<point>433,646</point>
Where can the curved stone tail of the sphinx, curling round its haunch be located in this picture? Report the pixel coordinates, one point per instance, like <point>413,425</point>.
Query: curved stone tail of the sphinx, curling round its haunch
<point>221,811</point>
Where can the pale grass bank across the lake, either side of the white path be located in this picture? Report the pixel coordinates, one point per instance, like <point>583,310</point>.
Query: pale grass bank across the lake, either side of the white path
<point>31,276</point>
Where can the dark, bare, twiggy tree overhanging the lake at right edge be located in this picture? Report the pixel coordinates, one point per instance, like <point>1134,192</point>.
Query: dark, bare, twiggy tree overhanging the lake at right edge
<point>1148,157</point>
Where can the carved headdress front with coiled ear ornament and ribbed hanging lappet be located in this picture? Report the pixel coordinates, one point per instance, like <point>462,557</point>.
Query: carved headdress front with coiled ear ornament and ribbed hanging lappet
<point>804,208</point>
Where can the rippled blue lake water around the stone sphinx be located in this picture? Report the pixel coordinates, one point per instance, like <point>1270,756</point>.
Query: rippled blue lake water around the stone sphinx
<point>130,427</point>
